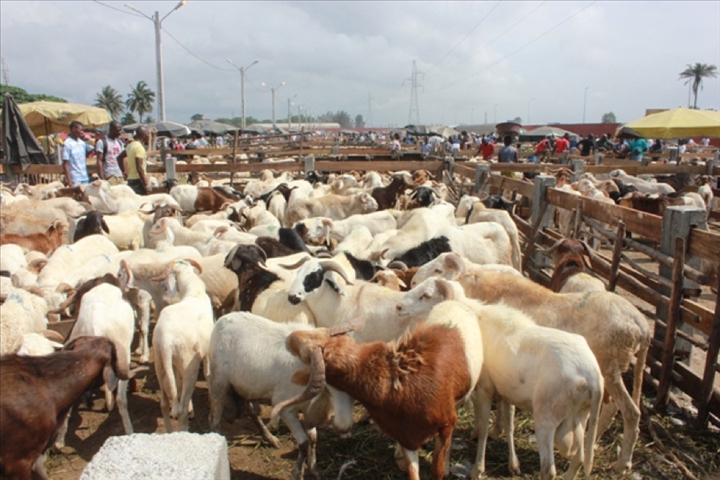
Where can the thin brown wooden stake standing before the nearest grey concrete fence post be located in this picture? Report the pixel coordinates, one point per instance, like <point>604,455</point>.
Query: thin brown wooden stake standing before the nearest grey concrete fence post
<point>668,356</point>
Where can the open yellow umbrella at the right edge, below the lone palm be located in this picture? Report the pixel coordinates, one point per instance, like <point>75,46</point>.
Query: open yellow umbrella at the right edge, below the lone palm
<point>678,123</point>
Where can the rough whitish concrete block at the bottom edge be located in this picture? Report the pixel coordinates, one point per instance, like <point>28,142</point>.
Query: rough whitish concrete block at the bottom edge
<point>178,455</point>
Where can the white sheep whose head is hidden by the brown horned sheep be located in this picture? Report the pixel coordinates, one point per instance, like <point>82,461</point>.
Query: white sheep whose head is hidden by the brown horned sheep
<point>248,359</point>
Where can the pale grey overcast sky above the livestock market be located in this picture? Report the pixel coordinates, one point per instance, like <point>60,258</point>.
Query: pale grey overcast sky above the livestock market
<point>475,60</point>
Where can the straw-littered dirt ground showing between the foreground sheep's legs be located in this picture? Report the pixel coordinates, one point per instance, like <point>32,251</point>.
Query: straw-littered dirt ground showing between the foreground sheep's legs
<point>251,459</point>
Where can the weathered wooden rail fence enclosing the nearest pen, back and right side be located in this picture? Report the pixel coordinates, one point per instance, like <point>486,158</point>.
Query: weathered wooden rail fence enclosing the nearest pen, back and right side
<point>680,242</point>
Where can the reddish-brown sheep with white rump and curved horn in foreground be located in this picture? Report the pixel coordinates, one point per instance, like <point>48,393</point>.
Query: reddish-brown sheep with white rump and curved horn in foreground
<point>409,387</point>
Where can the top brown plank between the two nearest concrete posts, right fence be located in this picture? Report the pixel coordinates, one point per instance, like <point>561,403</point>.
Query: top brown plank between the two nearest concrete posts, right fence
<point>642,223</point>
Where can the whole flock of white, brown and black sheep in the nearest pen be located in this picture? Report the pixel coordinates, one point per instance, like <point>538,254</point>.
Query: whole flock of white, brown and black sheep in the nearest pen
<point>310,294</point>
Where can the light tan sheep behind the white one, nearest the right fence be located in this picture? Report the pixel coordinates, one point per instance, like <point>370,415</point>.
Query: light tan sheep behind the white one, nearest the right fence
<point>614,329</point>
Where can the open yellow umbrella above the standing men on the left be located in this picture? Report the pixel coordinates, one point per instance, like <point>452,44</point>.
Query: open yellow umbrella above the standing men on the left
<point>45,118</point>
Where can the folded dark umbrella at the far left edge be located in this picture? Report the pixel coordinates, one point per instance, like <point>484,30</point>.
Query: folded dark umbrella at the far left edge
<point>19,144</point>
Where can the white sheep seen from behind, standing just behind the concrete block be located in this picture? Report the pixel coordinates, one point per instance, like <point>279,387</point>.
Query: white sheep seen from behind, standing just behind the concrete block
<point>180,340</point>
